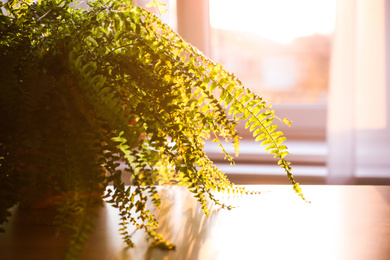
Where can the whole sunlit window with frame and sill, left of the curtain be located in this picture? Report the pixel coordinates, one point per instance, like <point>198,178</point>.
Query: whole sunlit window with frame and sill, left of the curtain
<point>281,50</point>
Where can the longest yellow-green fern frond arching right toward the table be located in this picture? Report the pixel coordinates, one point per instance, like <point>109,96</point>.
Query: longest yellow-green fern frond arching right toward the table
<point>242,103</point>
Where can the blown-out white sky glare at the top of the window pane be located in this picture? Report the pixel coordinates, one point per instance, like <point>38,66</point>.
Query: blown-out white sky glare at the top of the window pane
<point>279,20</point>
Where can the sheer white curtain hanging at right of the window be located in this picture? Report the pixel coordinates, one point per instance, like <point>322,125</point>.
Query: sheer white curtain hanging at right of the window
<point>358,128</point>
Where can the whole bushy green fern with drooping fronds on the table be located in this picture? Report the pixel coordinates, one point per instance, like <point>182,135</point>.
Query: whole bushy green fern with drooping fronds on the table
<point>84,91</point>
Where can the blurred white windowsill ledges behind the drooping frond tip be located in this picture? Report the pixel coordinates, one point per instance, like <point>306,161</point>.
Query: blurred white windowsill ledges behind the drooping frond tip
<point>254,165</point>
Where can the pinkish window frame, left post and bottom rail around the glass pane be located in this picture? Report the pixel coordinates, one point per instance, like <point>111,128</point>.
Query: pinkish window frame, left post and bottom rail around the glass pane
<point>309,120</point>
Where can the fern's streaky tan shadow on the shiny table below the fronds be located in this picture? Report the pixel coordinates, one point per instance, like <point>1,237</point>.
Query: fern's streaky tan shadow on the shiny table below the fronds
<point>183,223</point>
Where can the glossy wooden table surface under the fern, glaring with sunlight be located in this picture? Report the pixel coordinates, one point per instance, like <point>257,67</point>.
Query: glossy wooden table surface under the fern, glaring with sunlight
<point>342,222</point>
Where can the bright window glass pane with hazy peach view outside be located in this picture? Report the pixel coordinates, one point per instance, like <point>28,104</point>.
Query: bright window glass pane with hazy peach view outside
<point>278,48</point>
